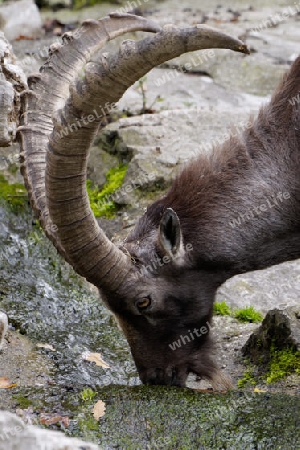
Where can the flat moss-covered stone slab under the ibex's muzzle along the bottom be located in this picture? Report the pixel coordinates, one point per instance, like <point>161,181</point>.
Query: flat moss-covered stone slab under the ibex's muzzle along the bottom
<point>157,417</point>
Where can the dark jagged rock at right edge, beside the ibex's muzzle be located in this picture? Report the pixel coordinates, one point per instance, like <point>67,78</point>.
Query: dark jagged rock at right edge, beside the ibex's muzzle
<point>280,327</point>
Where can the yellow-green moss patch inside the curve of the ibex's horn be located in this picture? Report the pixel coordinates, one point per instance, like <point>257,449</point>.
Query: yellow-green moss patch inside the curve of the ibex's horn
<point>101,202</point>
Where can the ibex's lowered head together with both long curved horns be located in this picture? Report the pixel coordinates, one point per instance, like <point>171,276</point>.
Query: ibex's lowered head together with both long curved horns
<point>152,282</point>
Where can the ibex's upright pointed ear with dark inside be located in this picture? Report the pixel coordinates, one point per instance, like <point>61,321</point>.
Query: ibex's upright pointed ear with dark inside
<point>170,236</point>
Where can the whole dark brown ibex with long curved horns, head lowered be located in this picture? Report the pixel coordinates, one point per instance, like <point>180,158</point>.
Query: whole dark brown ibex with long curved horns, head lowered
<point>156,306</point>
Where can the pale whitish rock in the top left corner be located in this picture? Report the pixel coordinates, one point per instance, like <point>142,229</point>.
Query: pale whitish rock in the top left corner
<point>20,18</point>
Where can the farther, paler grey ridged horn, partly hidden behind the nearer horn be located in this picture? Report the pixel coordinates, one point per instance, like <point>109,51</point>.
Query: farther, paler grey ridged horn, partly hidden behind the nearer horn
<point>48,92</point>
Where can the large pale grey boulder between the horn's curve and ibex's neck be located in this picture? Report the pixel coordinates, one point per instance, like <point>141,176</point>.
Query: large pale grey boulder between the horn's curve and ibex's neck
<point>158,145</point>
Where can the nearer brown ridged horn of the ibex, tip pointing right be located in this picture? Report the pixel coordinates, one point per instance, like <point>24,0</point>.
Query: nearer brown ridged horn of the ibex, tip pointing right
<point>80,239</point>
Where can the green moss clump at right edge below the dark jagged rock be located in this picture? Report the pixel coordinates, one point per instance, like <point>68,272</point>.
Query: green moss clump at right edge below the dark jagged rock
<point>283,362</point>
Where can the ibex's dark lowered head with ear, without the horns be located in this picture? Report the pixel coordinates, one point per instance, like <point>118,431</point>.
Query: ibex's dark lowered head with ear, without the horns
<point>162,306</point>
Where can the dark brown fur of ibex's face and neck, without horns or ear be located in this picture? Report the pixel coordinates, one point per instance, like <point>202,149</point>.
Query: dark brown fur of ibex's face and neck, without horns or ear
<point>208,195</point>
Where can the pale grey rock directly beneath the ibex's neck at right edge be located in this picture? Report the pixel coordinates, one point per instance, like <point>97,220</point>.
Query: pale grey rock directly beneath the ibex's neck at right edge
<point>275,287</point>
